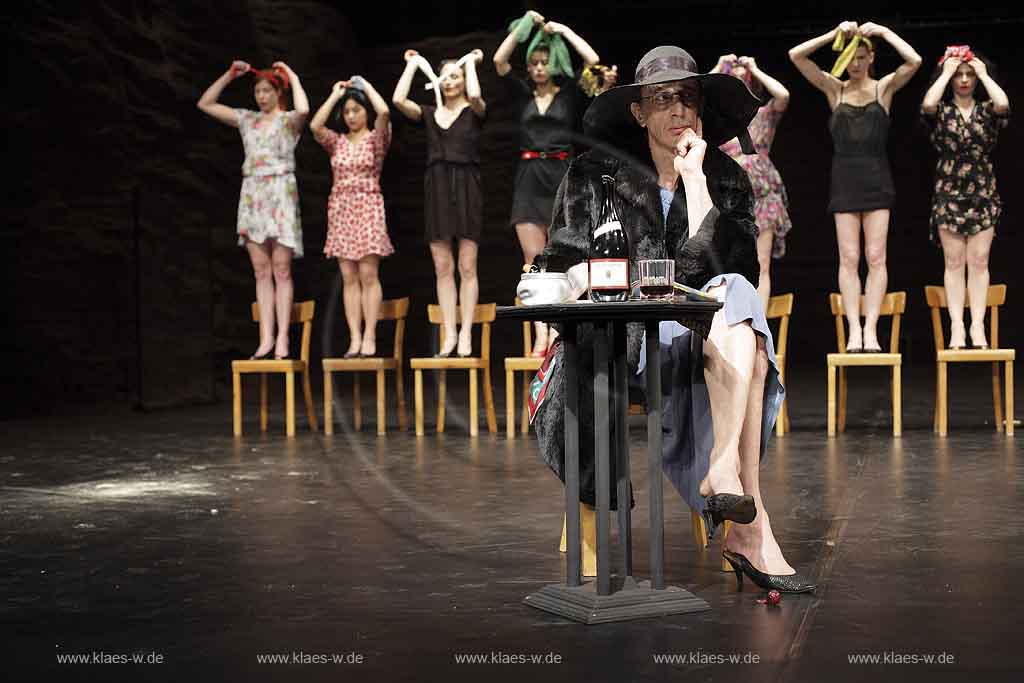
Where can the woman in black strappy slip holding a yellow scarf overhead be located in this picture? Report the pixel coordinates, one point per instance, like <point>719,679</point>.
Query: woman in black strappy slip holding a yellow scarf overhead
<point>863,191</point>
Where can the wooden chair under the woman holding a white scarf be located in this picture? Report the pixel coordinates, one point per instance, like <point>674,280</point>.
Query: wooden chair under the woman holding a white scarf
<point>484,315</point>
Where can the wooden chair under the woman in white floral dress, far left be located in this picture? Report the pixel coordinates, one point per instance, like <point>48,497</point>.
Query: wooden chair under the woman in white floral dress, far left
<point>303,314</point>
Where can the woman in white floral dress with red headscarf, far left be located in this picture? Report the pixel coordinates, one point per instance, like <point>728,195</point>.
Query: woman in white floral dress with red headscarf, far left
<point>269,226</point>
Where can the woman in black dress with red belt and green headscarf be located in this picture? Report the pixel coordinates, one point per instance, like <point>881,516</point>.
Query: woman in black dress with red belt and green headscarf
<point>550,105</point>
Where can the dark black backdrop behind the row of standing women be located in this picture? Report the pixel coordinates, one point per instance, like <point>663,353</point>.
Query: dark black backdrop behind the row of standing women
<point>124,280</point>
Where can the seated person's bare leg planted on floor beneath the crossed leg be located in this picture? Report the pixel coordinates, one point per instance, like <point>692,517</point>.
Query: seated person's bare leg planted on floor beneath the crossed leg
<point>756,541</point>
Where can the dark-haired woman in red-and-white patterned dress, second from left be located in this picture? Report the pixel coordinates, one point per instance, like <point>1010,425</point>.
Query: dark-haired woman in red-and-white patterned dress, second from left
<point>357,230</point>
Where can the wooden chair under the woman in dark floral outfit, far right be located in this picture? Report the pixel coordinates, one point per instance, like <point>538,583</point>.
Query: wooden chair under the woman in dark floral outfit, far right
<point>936,297</point>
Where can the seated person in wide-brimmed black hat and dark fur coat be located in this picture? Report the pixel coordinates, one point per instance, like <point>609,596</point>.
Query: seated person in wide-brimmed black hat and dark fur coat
<point>679,197</point>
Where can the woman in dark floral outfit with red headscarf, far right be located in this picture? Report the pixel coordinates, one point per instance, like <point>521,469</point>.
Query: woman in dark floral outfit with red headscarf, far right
<point>966,205</point>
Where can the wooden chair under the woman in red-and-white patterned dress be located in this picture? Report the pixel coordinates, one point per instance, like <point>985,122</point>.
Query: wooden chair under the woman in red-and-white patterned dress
<point>392,310</point>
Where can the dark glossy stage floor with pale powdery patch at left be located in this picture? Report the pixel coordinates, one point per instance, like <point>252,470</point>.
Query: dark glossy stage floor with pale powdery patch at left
<point>160,535</point>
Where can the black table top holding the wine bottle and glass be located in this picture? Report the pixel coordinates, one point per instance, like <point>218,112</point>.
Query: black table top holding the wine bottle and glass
<point>630,312</point>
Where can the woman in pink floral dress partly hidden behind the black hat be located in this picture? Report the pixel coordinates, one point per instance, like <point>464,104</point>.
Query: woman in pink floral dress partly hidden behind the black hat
<point>770,193</point>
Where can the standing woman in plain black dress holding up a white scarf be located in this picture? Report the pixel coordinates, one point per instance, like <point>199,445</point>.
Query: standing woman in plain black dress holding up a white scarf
<point>453,192</point>
